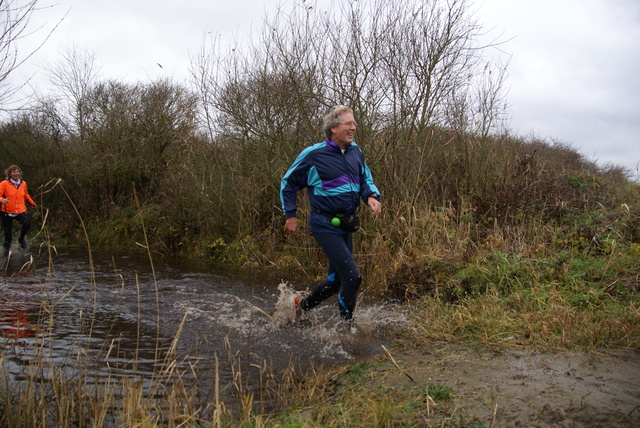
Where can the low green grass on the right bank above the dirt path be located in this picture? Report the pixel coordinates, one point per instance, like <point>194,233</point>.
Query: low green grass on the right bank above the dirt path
<point>563,302</point>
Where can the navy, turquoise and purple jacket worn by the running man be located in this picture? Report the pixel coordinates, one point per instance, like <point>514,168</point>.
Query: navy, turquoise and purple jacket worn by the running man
<point>336,183</point>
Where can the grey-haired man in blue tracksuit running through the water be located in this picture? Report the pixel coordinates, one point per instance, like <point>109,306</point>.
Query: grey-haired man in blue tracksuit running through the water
<point>337,178</point>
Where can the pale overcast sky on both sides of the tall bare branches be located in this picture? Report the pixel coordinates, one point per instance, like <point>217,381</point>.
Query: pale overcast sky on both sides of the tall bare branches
<point>573,71</point>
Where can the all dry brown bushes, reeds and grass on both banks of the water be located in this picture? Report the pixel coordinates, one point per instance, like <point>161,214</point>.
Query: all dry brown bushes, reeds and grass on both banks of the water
<point>493,238</point>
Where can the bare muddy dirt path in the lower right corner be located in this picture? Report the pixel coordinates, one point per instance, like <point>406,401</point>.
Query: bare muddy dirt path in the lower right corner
<point>528,388</point>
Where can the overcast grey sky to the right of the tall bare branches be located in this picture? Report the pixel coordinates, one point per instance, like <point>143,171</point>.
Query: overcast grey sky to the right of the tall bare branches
<point>573,72</point>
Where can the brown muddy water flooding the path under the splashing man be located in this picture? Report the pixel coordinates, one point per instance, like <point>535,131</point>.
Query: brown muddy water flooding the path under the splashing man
<point>124,315</point>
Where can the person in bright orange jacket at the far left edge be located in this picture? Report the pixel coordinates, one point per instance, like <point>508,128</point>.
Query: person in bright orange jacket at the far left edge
<point>14,194</point>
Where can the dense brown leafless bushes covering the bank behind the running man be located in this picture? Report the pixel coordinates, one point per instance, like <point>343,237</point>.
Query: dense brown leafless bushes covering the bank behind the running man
<point>200,166</point>
